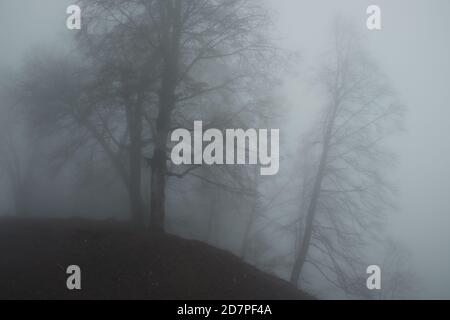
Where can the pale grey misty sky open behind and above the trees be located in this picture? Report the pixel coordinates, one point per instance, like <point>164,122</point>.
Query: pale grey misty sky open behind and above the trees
<point>414,51</point>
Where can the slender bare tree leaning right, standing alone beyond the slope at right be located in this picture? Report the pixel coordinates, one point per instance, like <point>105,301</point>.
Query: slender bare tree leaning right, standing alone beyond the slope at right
<point>346,193</point>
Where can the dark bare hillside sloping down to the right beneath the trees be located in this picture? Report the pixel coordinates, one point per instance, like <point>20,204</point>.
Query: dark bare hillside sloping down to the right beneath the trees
<point>119,263</point>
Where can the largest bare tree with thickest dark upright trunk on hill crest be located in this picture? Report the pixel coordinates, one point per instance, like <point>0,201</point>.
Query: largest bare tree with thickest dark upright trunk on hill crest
<point>209,50</point>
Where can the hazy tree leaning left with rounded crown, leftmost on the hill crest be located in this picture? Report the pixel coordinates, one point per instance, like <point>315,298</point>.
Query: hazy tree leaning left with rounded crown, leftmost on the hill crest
<point>70,110</point>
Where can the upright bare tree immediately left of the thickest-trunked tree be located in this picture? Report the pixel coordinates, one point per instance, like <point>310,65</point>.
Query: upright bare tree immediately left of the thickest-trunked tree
<point>125,72</point>
